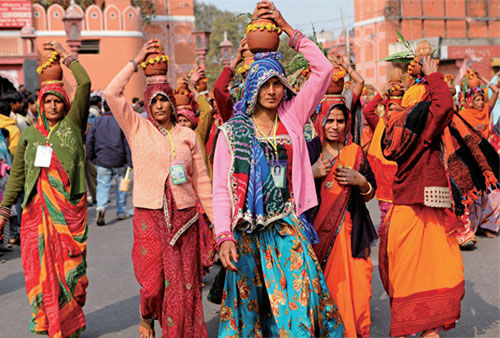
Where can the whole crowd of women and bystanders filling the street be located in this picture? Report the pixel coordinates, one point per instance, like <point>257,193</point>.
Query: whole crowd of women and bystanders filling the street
<point>266,173</point>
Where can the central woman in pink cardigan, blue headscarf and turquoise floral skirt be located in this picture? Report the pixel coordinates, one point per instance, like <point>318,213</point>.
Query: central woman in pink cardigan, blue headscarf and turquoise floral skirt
<point>274,285</point>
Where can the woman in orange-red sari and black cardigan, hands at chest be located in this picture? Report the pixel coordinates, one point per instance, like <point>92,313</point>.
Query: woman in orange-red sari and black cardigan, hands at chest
<point>344,182</point>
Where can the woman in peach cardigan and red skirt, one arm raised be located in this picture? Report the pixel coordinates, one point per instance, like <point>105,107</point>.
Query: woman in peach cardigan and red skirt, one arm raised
<point>169,175</point>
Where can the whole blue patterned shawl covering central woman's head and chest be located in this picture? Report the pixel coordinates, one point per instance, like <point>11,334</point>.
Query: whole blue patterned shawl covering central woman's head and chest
<point>256,201</point>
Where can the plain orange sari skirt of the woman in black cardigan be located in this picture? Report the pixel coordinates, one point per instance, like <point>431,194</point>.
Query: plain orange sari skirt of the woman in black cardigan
<point>349,281</point>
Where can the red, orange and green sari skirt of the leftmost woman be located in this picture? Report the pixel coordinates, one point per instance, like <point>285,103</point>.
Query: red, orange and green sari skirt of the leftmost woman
<point>53,249</point>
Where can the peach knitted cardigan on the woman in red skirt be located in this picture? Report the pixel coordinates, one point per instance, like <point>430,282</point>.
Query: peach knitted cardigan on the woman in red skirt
<point>151,154</point>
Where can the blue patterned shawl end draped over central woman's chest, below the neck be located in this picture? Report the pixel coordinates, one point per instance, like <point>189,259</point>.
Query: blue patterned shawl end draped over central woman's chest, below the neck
<point>255,200</point>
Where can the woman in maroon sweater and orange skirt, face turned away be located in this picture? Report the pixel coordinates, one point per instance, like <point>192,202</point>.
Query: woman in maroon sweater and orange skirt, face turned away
<point>419,258</point>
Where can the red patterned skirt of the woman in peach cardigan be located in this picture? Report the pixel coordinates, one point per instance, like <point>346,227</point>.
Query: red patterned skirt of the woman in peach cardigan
<point>169,275</point>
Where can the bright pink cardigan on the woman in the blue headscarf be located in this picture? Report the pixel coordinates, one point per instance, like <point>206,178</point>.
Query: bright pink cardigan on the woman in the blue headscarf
<point>294,115</point>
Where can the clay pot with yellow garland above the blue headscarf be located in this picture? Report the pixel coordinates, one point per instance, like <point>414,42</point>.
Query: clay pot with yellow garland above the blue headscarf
<point>263,36</point>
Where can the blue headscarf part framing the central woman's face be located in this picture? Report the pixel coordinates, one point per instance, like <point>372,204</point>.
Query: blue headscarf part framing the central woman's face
<point>264,67</point>
